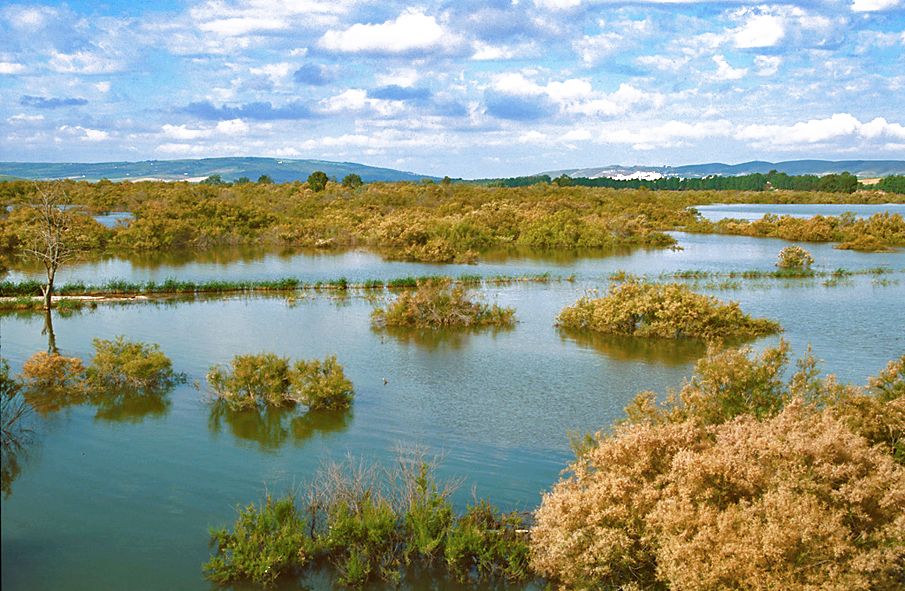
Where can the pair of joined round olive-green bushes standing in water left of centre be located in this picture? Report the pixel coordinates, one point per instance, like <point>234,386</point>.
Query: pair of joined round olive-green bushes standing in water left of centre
<point>267,380</point>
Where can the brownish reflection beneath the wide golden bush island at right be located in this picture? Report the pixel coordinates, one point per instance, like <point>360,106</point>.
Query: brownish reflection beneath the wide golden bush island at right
<point>669,352</point>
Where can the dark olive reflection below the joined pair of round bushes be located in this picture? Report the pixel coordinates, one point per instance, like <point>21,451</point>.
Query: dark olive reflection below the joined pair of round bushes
<point>272,428</point>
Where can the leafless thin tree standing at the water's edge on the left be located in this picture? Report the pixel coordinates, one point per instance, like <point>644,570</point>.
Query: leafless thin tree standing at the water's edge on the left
<point>49,241</point>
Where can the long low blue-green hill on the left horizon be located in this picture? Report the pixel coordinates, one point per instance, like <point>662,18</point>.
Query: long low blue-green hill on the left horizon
<point>281,170</point>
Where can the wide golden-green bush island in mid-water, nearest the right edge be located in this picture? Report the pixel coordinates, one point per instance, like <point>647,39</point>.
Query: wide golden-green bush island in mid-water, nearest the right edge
<point>662,310</point>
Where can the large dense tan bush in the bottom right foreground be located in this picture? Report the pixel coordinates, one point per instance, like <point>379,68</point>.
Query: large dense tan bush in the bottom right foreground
<point>687,498</point>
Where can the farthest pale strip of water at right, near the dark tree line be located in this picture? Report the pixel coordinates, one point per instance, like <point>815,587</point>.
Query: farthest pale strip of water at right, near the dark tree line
<point>755,211</point>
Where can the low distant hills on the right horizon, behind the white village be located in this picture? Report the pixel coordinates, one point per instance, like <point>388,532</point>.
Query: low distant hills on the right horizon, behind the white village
<point>860,168</point>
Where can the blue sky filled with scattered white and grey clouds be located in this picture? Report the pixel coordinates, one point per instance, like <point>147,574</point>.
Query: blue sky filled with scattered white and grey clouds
<point>459,88</point>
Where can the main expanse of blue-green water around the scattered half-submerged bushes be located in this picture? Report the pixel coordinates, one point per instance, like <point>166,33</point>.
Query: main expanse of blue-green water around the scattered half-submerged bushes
<point>123,498</point>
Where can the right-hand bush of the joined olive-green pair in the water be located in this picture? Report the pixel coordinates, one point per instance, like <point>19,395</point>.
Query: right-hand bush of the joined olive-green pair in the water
<point>321,385</point>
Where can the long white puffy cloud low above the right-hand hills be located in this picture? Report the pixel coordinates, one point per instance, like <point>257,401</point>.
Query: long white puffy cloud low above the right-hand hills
<point>839,128</point>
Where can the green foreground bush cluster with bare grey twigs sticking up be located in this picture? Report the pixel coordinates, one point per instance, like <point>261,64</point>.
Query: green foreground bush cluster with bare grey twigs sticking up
<point>369,525</point>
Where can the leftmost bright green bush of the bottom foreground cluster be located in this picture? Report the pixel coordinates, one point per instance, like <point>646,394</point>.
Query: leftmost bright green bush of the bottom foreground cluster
<point>266,542</point>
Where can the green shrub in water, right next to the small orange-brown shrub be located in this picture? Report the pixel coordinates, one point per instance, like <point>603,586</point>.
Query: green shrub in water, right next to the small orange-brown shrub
<point>122,364</point>
